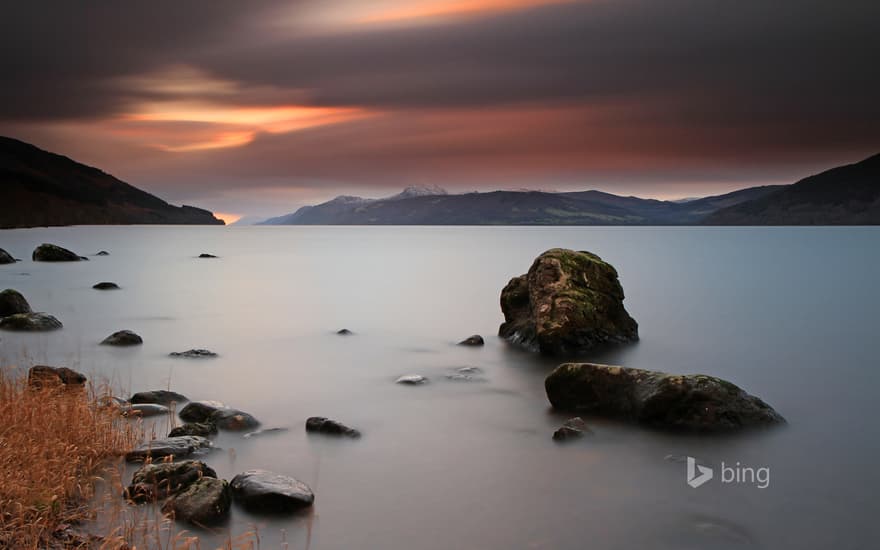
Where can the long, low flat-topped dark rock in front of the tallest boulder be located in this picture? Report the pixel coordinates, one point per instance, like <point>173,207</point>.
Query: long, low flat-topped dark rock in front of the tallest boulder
<point>685,402</point>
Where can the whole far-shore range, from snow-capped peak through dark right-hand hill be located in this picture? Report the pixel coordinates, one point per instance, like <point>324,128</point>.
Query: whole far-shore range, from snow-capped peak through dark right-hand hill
<point>849,195</point>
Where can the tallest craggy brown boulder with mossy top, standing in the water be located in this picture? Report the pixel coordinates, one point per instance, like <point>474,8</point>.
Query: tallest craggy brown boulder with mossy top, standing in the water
<point>568,302</point>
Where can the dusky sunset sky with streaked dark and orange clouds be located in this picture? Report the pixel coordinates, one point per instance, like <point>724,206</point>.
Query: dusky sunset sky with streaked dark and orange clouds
<point>255,108</point>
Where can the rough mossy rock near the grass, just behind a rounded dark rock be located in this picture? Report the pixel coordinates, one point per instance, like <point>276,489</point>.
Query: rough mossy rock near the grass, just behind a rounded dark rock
<point>155,481</point>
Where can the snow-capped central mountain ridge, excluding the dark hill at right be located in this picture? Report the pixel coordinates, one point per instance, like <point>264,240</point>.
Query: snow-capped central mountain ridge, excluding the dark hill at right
<point>510,208</point>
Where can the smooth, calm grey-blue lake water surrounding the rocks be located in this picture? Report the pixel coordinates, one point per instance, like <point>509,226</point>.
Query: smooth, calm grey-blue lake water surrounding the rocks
<point>788,314</point>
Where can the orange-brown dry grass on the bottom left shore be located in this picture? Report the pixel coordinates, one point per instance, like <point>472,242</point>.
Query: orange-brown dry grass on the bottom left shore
<point>55,443</point>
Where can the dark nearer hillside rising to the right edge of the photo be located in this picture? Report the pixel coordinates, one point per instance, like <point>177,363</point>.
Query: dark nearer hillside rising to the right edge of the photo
<point>847,195</point>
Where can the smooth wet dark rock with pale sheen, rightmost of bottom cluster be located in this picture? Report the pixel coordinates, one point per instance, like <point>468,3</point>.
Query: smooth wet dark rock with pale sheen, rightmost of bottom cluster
<point>264,491</point>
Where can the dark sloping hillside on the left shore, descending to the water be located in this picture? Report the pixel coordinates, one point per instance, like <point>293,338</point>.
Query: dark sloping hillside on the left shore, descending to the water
<point>40,188</point>
